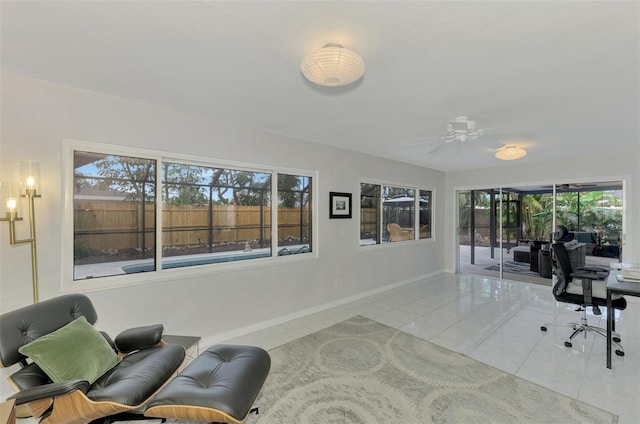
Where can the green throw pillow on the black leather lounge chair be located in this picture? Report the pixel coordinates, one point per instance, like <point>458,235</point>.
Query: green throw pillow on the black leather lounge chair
<point>75,351</point>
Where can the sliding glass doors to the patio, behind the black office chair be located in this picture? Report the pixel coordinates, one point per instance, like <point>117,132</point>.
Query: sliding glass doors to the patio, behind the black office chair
<point>507,232</point>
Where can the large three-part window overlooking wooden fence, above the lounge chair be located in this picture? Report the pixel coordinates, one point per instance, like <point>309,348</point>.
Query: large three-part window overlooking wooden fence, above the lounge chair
<point>126,205</point>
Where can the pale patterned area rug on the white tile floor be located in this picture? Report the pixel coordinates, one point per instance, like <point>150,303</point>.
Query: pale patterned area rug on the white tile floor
<point>363,372</point>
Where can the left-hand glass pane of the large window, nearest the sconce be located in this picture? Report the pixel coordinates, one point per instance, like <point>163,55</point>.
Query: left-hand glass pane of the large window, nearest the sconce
<point>114,214</point>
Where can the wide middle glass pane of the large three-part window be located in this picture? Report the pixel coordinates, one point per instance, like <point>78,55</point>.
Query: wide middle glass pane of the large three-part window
<point>212,215</point>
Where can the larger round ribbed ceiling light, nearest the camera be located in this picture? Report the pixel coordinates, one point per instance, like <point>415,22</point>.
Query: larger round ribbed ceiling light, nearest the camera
<point>332,66</point>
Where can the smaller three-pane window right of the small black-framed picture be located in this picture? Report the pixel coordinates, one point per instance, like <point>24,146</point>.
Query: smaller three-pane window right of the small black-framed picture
<point>388,214</point>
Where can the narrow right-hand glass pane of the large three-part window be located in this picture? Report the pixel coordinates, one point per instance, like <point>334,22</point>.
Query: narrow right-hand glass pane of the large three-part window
<point>294,214</point>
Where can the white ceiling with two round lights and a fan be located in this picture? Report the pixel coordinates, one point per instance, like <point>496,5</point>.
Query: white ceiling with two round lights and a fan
<point>562,77</point>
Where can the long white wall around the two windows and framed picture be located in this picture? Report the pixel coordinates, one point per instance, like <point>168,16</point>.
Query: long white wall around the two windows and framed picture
<point>37,115</point>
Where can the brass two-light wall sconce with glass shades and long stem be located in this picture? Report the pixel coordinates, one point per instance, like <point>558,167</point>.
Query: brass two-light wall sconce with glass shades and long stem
<point>27,188</point>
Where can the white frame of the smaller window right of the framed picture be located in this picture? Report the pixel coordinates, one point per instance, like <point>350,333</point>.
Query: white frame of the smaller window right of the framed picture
<point>417,189</point>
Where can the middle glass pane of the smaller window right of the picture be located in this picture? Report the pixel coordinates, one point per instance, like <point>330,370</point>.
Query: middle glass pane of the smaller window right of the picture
<point>398,208</point>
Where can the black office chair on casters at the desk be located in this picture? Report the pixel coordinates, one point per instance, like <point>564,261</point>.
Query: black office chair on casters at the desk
<point>585,286</point>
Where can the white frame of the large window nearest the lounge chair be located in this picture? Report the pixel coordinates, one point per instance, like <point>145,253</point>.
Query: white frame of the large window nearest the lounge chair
<point>68,283</point>
